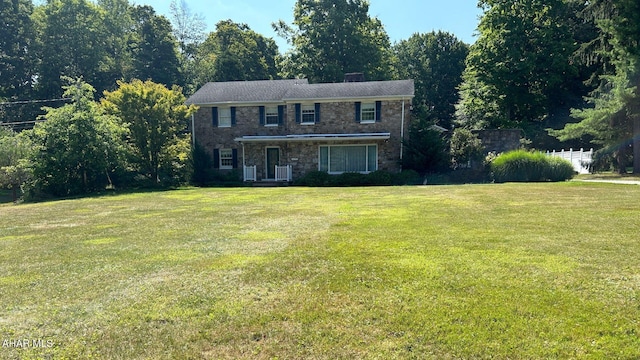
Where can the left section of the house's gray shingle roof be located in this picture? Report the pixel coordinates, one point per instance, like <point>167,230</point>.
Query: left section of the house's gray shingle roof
<point>244,91</point>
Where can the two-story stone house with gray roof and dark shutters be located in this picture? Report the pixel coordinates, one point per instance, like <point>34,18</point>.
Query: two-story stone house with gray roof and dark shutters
<point>282,129</point>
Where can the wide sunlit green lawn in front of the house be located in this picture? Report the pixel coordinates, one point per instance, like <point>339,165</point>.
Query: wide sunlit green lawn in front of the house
<point>512,271</point>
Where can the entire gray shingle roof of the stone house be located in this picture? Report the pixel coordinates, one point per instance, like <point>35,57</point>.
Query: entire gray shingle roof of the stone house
<point>297,89</point>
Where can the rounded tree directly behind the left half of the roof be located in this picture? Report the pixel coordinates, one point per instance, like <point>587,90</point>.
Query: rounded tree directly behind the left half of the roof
<point>235,52</point>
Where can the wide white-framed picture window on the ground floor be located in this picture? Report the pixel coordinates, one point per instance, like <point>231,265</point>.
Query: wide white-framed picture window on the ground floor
<point>336,159</point>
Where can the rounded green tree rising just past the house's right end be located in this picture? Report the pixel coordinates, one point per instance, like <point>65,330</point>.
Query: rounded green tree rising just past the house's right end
<point>435,61</point>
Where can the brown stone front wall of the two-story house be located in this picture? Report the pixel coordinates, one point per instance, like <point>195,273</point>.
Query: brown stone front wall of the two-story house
<point>336,117</point>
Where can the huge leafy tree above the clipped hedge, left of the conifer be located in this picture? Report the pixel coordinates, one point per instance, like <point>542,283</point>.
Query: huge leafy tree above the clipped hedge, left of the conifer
<point>519,65</point>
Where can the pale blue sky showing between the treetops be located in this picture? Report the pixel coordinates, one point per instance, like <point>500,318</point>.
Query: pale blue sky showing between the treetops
<point>401,18</point>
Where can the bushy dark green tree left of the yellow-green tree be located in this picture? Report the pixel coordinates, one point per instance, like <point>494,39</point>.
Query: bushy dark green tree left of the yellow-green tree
<point>77,146</point>
